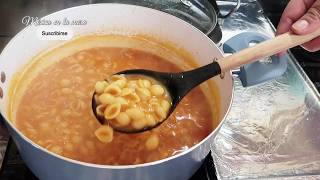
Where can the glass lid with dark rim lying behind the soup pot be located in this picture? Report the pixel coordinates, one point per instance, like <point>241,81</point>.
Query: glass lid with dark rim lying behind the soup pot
<point>201,14</point>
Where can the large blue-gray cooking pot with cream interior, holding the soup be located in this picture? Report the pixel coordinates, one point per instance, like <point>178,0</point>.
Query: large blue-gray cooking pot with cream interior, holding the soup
<point>128,18</point>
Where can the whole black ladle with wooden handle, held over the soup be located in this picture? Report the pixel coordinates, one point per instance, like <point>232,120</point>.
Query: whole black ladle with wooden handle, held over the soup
<point>179,84</point>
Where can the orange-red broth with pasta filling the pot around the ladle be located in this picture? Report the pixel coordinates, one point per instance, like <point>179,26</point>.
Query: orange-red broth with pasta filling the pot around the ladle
<point>55,111</point>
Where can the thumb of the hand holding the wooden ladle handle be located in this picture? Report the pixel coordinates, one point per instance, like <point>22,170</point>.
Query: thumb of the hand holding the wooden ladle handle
<point>309,22</point>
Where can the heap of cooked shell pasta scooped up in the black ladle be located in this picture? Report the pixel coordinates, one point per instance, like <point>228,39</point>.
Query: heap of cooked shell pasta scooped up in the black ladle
<point>135,103</point>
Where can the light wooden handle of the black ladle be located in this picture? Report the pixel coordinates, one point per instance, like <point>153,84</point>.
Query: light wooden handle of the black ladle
<point>265,49</point>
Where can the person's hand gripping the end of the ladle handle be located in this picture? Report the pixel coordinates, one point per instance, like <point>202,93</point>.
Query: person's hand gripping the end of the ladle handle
<point>302,17</point>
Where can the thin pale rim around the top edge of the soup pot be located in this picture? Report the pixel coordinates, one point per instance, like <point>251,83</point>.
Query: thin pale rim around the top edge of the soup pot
<point>101,166</point>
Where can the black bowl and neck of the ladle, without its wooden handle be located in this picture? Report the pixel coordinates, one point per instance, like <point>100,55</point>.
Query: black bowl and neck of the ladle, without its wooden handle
<point>176,84</point>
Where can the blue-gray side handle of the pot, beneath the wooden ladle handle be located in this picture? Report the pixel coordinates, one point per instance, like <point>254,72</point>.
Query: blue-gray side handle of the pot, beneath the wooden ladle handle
<point>259,71</point>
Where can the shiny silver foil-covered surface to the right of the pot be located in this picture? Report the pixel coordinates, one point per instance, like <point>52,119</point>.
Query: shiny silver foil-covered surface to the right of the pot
<point>272,128</point>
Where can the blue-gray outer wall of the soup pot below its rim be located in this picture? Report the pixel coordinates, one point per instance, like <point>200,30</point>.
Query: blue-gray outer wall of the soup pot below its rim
<point>50,167</point>
